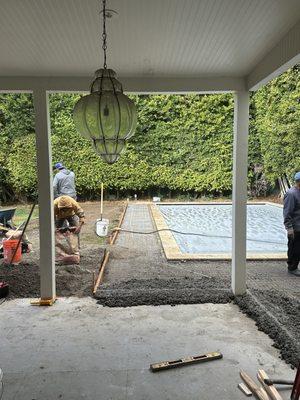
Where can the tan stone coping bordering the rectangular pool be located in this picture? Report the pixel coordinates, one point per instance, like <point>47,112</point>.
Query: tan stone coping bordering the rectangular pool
<point>172,250</point>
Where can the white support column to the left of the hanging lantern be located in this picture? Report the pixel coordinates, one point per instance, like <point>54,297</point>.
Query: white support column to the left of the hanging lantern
<point>45,193</point>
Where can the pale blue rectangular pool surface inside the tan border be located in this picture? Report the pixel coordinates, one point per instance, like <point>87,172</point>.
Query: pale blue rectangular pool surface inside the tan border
<point>264,225</point>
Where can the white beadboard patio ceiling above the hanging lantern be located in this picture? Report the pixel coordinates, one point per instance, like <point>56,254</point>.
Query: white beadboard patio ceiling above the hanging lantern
<point>150,39</point>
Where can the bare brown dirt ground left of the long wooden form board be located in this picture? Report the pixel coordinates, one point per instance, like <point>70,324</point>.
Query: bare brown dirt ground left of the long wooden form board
<point>71,280</point>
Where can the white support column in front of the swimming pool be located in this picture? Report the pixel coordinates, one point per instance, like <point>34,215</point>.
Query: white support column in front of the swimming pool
<point>239,196</point>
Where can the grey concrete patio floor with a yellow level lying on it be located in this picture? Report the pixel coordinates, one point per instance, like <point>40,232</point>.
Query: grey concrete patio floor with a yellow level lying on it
<point>80,350</point>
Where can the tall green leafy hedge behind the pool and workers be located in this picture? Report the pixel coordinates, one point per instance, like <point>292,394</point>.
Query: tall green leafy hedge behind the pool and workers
<point>183,143</point>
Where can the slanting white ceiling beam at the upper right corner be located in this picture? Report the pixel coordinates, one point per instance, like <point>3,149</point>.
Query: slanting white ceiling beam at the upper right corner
<point>283,56</point>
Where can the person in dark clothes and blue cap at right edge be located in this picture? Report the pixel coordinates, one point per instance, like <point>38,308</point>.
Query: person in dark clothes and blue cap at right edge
<point>291,215</point>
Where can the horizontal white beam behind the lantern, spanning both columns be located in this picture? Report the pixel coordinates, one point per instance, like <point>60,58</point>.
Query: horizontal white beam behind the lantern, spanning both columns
<point>141,85</point>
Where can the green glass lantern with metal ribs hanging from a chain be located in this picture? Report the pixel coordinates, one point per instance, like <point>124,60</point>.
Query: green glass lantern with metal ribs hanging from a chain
<point>106,116</point>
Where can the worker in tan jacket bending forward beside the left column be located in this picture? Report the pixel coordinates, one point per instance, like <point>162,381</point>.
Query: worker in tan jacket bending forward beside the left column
<point>69,218</point>
